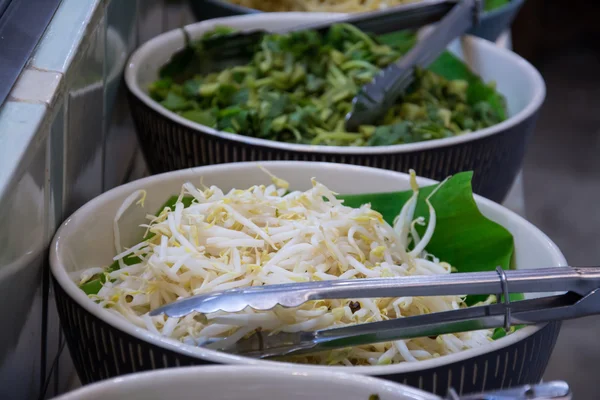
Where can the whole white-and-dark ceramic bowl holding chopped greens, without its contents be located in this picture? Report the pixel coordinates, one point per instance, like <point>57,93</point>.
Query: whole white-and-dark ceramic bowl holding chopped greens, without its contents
<point>172,142</point>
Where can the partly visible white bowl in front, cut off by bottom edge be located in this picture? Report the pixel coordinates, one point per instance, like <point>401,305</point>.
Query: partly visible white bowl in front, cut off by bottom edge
<point>244,383</point>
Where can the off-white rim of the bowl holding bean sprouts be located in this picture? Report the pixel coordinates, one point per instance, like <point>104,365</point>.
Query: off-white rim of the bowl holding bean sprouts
<point>68,285</point>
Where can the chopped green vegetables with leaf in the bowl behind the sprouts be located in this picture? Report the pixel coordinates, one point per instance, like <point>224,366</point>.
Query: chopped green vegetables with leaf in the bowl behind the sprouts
<point>299,86</point>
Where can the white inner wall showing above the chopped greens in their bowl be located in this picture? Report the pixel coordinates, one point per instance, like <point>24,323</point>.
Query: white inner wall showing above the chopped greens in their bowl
<point>513,76</point>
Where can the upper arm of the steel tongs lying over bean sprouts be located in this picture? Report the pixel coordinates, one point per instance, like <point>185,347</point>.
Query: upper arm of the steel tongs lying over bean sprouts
<point>563,279</point>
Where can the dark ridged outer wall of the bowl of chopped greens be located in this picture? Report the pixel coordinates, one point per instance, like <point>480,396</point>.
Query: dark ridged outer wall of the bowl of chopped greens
<point>496,159</point>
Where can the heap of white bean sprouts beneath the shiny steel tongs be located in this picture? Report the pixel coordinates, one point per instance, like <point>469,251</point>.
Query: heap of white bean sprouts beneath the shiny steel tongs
<point>264,236</point>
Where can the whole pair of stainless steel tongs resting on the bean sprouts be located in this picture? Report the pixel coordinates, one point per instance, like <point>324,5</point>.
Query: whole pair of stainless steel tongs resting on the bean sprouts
<point>579,287</point>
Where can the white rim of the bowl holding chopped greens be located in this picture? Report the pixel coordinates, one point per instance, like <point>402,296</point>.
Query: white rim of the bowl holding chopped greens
<point>137,61</point>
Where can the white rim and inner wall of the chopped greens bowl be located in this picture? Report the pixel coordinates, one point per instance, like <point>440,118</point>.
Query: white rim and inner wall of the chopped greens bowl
<point>516,79</point>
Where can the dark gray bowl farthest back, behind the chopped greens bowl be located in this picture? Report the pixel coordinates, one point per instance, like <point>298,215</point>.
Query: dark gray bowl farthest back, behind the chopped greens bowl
<point>491,25</point>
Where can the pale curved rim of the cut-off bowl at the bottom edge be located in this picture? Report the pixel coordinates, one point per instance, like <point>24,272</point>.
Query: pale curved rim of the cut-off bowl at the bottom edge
<point>208,372</point>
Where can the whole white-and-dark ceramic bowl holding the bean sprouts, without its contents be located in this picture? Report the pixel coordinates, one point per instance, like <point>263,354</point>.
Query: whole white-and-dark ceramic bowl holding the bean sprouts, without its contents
<point>105,345</point>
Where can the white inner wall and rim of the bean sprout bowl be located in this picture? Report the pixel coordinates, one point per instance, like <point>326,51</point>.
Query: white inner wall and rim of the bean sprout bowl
<point>86,239</point>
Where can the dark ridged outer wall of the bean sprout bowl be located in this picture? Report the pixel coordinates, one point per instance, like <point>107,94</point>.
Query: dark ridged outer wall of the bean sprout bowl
<point>100,351</point>
